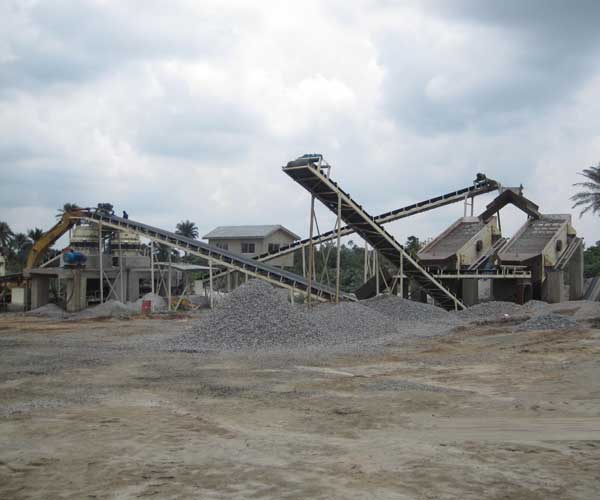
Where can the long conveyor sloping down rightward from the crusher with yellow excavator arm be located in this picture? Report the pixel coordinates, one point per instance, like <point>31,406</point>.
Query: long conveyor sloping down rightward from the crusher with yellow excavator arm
<point>221,257</point>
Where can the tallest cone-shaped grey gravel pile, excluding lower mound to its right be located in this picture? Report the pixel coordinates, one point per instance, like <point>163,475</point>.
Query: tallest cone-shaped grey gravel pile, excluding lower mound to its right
<point>255,315</point>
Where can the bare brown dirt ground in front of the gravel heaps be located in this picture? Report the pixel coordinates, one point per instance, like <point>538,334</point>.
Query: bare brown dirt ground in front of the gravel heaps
<point>96,409</point>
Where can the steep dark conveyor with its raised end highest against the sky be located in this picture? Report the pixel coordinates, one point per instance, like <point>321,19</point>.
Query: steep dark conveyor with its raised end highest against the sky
<point>312,178</point>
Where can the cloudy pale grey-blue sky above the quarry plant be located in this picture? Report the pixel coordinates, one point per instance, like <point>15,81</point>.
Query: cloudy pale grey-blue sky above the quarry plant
<point>188,109</point>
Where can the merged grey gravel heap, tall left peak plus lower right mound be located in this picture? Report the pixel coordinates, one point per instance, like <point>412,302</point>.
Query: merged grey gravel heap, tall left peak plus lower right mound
<point>256,315</point>
